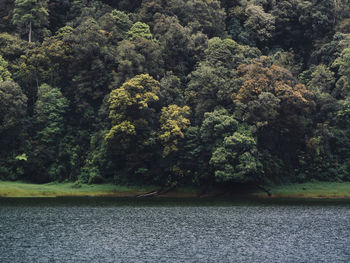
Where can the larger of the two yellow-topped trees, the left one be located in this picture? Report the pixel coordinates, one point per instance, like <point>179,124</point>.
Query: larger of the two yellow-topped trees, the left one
<point>134,115</point>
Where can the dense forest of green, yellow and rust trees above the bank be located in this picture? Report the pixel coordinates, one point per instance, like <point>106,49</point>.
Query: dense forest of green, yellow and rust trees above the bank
<point>191,92</point>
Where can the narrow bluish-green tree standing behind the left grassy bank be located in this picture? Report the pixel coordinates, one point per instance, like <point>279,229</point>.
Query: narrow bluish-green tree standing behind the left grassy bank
<point>49,112</point>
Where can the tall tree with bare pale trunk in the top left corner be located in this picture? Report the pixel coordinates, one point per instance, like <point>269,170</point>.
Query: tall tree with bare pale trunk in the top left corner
<point>29,14</point>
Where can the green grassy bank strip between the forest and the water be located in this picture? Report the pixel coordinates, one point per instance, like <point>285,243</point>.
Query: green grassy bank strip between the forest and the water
<point>306,190</point>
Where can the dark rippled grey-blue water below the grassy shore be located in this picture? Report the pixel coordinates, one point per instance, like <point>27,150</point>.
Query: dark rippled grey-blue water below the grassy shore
<point>98,230</point>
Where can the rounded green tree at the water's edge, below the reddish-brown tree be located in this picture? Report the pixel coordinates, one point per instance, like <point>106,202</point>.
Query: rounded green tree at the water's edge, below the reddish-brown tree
<point>229,149</point>
